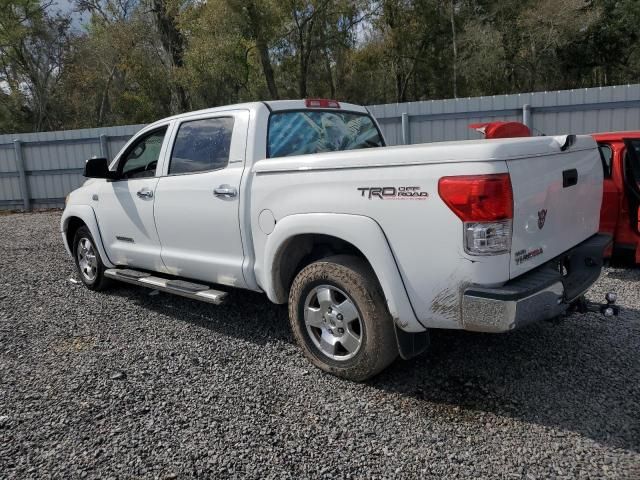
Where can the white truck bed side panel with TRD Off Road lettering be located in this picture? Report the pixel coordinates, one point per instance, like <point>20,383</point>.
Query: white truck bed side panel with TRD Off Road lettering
<point>424,235</point>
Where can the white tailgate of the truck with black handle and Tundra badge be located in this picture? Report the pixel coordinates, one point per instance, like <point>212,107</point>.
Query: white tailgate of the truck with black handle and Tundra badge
<point>557,197</point>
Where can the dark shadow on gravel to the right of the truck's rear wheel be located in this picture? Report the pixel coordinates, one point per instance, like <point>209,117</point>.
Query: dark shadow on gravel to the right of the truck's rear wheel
<point>568,375</point>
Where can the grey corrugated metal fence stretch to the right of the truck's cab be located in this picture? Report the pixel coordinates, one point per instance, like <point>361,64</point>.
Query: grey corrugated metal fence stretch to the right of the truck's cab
<point>583,111</point>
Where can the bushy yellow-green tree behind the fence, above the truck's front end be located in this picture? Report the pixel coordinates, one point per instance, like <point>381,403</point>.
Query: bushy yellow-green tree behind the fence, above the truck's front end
<point>116,73</point>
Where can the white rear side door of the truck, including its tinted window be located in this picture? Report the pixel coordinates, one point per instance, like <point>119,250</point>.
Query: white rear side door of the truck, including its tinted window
<point>198,199</point>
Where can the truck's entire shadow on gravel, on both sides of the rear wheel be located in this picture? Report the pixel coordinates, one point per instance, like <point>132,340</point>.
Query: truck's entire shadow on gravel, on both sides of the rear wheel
<point>575,375</point>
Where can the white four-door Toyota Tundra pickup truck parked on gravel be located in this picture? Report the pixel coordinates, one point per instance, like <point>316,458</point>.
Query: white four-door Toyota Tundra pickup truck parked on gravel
<point>371,246</point>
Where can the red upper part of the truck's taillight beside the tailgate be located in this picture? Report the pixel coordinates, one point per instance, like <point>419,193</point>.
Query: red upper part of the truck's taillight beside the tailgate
<point>478,198</point>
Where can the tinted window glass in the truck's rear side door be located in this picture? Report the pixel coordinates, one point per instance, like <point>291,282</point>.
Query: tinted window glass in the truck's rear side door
<point>201,145</point>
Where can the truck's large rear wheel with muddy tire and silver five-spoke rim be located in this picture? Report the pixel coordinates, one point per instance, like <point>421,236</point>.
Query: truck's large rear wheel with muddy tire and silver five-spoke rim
<point>354,278</point>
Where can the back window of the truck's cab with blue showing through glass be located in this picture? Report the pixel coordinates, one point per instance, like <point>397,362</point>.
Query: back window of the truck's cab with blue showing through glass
<point>312,131</point>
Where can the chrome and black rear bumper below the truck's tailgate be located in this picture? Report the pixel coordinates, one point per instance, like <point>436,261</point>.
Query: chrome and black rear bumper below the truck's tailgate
<point>540,294</point>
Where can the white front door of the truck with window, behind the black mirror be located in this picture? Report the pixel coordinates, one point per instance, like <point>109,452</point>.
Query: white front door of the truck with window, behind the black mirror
<point>125,206</point>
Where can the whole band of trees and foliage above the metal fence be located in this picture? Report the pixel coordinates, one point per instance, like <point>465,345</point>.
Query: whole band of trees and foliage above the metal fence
<point>139,60</point>
